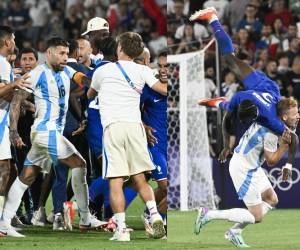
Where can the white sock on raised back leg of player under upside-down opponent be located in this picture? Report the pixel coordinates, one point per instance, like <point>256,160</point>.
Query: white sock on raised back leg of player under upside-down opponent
<point>236,215</point>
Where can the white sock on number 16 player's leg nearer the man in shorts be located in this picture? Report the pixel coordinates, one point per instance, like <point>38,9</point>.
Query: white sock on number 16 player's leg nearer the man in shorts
<point>80,189</point>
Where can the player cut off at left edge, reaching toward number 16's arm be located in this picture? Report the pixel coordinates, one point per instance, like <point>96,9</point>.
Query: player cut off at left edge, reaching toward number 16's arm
<point>7,86</point>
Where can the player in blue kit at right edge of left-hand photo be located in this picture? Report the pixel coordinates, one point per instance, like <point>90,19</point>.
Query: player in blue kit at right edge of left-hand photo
<point>154,116</point>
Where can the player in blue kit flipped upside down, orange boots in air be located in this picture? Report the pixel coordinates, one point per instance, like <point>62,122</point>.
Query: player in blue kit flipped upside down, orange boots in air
<point>261,90</point>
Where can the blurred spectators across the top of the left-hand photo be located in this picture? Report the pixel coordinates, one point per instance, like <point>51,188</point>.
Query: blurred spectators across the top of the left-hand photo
<point>34,21</point>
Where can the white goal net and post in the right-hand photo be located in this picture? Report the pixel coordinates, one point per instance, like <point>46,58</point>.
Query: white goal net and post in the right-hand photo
<point>189,163</point>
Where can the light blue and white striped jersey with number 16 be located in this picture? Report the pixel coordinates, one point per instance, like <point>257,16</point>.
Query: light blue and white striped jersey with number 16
<point>51,97</point>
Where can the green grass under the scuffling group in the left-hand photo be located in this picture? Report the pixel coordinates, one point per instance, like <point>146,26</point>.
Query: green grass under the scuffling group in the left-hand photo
<point>44,238</point>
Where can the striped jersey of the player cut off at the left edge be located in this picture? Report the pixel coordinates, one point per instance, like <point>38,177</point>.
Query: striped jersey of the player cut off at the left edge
<point>6,75</point>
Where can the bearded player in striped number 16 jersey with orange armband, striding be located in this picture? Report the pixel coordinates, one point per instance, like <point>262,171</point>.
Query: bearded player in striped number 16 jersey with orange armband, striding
<point>50,84</point>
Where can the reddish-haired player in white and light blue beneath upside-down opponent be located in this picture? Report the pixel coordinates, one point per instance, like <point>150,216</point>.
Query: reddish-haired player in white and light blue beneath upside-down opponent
<point>257,145</point>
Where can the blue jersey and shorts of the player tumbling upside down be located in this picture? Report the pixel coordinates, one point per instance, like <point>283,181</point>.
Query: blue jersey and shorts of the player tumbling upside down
<point>264,93</point>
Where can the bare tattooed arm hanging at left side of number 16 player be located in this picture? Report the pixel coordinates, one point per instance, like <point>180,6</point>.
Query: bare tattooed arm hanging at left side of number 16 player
<point>14,114</point>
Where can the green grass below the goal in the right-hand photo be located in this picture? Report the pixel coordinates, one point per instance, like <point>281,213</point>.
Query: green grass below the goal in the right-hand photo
<point>279,230</point>
